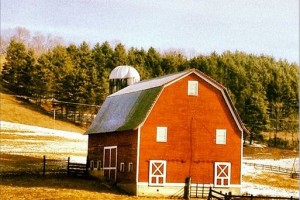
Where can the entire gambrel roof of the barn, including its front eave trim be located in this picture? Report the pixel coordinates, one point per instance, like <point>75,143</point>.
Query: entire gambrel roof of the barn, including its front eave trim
<point>128,108</point>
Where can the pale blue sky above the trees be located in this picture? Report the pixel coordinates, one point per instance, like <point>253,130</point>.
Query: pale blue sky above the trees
<point>268,27</point>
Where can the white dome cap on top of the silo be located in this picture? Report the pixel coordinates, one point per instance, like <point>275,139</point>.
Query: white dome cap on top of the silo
<point>124,72</point>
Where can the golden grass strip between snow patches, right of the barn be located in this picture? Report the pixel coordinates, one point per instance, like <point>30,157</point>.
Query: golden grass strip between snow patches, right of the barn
<point>274,180</point>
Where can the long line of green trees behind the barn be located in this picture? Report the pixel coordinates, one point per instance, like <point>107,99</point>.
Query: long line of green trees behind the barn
<point>264,90</point>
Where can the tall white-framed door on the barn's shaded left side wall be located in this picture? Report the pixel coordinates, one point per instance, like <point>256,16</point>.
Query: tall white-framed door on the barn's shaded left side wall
<point>110,163</point>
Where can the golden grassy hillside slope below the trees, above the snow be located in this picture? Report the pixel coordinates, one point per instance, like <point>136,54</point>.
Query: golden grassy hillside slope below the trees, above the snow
<point>14,110</point>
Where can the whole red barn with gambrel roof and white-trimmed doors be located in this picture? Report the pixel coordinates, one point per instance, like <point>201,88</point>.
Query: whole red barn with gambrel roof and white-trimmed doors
<point>150,136</point>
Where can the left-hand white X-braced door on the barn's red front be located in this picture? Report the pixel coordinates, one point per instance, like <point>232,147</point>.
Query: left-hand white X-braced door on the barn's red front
<point>162,174</point>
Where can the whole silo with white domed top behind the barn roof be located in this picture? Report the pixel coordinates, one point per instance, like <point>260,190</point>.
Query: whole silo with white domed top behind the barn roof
<point>121,77</point>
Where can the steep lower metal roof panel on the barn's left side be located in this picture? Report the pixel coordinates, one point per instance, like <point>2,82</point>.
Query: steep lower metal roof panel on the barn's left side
<point>124,112</point>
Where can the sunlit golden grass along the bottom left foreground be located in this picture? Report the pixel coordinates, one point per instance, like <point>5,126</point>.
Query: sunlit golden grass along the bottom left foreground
<point>67,188</point>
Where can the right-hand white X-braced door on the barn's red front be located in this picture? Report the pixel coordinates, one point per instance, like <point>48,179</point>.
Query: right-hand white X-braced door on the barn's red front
<point>222,173</point>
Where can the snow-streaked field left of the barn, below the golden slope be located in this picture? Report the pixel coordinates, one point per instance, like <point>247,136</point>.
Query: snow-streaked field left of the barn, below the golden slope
<point>72,144</point>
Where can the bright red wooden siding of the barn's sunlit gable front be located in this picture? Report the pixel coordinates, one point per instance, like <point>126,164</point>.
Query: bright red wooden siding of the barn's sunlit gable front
<point>191,148</point>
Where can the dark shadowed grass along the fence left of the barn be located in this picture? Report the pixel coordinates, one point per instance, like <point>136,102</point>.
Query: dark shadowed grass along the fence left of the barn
<point>26,171</point>
